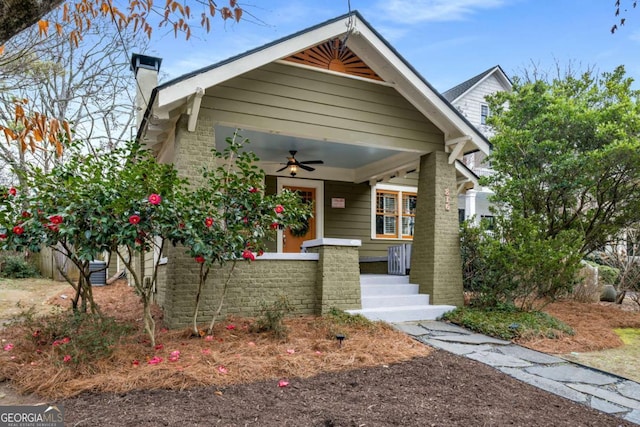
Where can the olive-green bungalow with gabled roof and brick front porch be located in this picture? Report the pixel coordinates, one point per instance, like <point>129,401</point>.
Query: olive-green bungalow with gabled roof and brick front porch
<point>390,144</point>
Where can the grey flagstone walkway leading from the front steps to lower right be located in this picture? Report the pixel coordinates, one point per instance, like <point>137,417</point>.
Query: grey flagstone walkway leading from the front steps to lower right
<point>600,390</point>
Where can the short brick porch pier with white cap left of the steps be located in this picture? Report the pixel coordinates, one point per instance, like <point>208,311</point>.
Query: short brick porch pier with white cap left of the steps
<point>338,274</point>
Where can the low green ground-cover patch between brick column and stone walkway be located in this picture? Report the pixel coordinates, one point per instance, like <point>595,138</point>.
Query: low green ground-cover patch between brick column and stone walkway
<point>508,322</point>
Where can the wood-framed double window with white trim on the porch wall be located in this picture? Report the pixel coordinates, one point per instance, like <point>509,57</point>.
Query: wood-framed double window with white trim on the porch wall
<point>395,213</point>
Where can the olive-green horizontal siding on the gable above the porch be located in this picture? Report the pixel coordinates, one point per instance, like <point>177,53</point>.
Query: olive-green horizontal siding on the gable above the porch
<point>292,100</point>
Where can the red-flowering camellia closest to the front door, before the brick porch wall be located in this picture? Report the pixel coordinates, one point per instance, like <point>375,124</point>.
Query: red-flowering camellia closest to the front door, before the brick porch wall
<point>230,218</point>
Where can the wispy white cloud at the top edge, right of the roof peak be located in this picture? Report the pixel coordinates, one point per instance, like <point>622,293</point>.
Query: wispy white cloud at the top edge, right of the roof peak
<point>412,12</point>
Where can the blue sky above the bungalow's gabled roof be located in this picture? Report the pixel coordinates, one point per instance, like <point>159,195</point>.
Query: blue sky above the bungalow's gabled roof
<point>446,41</point>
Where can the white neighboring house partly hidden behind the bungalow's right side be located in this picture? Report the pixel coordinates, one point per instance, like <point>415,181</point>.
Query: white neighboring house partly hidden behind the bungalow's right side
<point>469,98</point>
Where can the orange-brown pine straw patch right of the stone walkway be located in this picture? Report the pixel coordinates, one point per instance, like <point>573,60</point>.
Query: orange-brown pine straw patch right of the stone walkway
<point>593,324</point>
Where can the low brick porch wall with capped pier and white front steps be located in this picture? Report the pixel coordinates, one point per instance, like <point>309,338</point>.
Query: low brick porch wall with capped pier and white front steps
<point>327,275</point>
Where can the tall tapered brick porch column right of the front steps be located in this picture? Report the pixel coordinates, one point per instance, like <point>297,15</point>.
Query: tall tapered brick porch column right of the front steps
<point>435,255</point>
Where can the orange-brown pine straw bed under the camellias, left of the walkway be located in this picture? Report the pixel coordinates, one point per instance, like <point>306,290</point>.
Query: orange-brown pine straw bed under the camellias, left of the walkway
<point>233,355</point>
